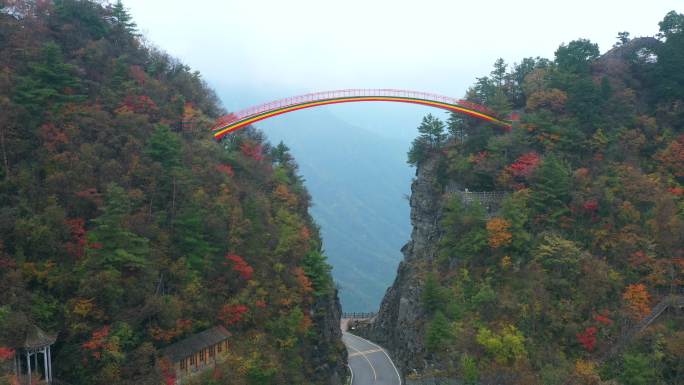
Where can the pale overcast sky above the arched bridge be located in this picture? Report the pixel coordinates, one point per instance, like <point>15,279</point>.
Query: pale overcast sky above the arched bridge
<point>255,49</point>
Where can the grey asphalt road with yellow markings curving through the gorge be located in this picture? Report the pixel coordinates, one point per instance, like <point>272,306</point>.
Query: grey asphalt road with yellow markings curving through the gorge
<point>369,363</point>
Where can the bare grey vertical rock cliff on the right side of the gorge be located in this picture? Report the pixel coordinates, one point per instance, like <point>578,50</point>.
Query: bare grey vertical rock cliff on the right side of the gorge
<point>400,320</point>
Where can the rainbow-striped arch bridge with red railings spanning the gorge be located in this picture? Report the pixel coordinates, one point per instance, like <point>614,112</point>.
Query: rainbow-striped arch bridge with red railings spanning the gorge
<point>236,120</point>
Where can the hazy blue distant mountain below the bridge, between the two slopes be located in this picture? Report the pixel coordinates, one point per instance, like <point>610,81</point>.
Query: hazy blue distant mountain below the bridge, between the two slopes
<point>358,181</point>
